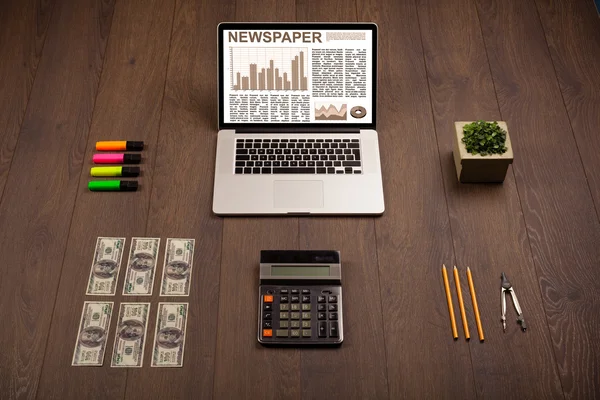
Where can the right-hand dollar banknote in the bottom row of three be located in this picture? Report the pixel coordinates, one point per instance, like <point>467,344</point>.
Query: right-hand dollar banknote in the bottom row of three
<point>169,339</point>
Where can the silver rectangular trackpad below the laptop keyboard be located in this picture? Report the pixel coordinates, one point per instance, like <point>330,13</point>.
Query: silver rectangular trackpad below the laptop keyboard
<point>298,194</point>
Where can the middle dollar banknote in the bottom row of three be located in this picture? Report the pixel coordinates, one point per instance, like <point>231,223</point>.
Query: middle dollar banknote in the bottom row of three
<point>130,337</point>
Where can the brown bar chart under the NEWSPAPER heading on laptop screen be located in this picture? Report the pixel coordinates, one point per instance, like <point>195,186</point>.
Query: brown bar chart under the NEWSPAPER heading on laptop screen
<point>280,68</point>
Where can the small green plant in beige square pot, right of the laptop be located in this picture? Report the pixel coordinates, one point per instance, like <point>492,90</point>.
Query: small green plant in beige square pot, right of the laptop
<point>482,151</point>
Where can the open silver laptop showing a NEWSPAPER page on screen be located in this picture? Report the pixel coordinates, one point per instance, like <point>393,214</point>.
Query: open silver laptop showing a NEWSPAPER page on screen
<point>297,113</point>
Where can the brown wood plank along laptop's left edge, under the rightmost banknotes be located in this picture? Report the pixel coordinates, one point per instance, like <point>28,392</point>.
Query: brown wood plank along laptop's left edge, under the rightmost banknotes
<point>182,198</point>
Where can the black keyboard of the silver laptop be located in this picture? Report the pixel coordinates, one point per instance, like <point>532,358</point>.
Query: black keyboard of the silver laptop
<point>297,156</point>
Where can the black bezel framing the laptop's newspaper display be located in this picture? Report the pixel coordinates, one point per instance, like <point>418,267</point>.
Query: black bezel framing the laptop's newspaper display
<point>282,127</point>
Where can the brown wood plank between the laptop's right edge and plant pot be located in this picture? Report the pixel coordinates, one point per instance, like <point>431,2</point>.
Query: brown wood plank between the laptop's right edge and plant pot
<point>413,236</point>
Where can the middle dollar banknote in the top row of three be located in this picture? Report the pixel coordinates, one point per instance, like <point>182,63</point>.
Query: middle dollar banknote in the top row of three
<point>141,266</point>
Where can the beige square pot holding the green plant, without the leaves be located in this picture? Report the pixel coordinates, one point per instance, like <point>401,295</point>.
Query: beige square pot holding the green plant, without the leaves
<point>475,168</point>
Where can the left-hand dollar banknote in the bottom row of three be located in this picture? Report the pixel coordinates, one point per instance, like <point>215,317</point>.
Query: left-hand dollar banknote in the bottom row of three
<point>93,331</point>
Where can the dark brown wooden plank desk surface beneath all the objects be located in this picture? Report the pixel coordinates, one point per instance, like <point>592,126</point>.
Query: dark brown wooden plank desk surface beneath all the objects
<point>74,72</point>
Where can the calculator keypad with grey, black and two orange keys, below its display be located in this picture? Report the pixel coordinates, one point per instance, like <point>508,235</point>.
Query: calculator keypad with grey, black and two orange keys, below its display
<point>300,315</point>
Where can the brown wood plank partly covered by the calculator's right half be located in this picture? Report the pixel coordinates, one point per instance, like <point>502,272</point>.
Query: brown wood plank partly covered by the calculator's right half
<point>354,370</point>
